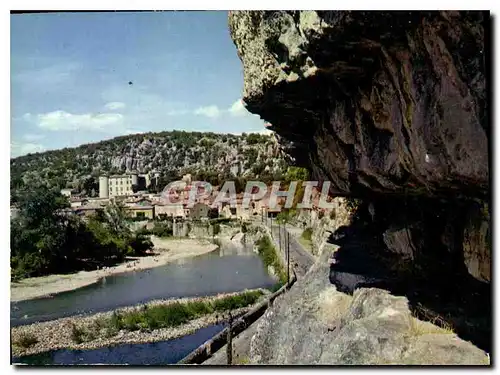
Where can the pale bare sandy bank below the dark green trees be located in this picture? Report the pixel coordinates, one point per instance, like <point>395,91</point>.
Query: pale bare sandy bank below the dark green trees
<point>167,250</point>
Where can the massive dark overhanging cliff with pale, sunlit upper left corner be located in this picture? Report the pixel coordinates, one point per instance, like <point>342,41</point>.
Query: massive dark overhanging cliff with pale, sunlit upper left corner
<point>390,102</point>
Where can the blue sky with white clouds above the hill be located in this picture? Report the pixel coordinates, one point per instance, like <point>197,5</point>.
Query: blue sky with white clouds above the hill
<point>70,76</point>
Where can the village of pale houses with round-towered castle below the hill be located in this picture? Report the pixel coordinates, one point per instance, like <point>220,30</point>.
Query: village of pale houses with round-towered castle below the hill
<point>181,205</point>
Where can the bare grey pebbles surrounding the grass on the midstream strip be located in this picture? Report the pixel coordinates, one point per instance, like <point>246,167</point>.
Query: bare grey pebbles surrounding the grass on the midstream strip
<point>57,334</point>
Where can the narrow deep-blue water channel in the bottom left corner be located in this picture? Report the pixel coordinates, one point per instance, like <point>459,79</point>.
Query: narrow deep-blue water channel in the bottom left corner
<point>158,353</point>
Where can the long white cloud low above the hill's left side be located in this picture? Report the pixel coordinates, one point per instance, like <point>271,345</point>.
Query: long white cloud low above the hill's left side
<point>62,120</point>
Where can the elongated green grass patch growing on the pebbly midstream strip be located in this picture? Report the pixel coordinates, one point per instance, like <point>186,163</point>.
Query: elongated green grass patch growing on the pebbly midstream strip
<point>161,316</point>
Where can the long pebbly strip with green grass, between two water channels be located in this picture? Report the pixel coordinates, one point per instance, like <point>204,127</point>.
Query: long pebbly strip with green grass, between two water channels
<point>154,321</point>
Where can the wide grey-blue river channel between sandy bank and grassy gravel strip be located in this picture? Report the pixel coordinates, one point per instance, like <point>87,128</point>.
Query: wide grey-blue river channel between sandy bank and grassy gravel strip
<point>229,269</point>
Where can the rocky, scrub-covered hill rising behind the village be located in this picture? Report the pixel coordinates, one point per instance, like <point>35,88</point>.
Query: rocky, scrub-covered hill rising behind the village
<point>169,154</point>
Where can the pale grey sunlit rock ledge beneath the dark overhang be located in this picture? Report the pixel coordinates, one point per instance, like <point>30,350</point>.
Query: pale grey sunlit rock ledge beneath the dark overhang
<point>314,324</point>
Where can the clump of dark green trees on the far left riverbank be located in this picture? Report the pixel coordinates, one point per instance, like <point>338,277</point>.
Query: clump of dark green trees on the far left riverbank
<point>45,240</point>
